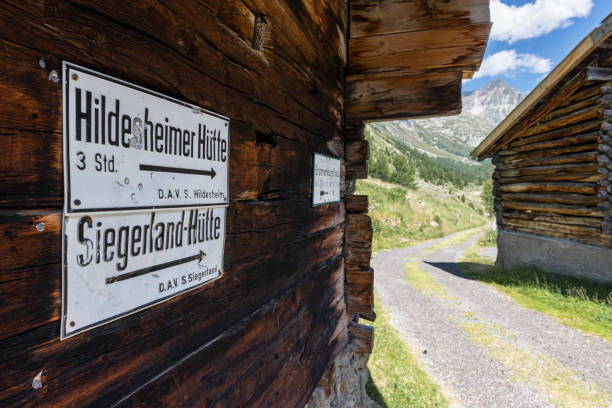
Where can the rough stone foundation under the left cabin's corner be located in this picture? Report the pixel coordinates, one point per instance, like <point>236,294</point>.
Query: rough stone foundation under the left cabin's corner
<point>343,384</point>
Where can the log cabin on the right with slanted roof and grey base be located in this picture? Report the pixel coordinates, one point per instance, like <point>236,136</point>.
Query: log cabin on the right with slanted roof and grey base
<point>553,167</point>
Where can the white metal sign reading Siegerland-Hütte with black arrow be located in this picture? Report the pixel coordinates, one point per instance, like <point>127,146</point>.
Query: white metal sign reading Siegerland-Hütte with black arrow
<point>117,264</point>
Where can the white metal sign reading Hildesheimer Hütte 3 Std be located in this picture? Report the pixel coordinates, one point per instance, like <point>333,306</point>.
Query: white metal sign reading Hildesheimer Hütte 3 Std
<point>127,147</point>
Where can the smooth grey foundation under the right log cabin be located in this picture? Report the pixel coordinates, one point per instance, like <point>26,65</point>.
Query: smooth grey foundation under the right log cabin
<point>554,255</point>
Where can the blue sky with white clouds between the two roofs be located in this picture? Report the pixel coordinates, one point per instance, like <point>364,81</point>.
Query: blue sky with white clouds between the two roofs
<point>530,37</point>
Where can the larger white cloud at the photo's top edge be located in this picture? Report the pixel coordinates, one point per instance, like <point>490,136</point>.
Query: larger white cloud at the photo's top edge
<point>513,23</point>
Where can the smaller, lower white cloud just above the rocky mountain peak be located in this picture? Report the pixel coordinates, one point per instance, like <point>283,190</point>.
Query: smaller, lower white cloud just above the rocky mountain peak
<point>509,62</point>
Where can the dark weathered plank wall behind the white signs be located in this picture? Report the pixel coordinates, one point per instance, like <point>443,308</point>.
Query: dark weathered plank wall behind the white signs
<point>264,333</point>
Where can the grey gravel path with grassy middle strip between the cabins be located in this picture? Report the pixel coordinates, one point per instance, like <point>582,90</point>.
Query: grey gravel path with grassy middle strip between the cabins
<point>480,346</point>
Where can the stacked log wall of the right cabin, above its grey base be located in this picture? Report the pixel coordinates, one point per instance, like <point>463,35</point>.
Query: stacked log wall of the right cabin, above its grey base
<point>552,177</point>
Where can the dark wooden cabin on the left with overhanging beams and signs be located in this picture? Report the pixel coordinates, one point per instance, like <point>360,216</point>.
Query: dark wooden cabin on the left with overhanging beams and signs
<point>286,80</point>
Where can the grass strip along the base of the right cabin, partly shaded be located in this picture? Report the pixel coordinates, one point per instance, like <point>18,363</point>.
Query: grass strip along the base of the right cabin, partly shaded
<point>577,303</point>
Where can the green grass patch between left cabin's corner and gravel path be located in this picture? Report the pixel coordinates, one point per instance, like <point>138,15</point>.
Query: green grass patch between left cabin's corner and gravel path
<point>396,380</point>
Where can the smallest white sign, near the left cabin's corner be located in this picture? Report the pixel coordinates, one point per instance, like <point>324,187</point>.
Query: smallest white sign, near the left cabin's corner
<point>325,179</point>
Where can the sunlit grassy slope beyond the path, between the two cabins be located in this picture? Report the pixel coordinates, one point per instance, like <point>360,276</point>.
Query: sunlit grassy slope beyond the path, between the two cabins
<point>402,217</point>
